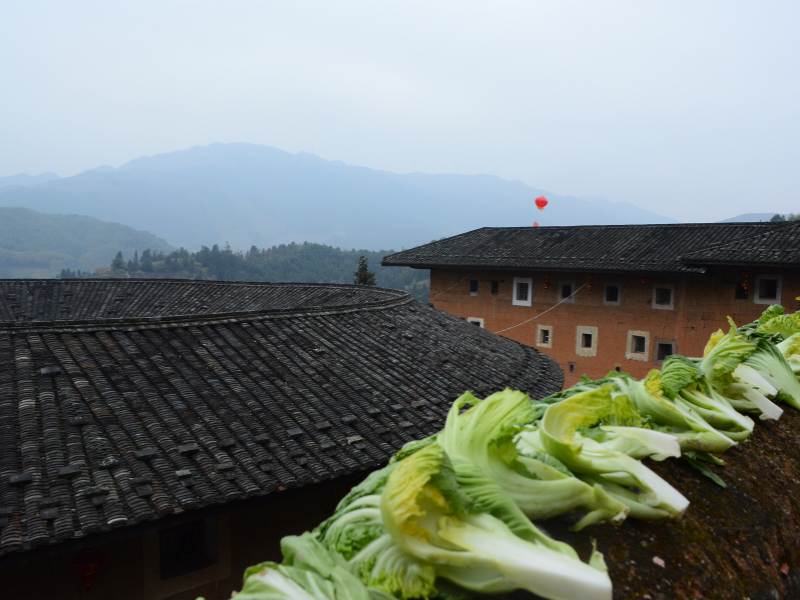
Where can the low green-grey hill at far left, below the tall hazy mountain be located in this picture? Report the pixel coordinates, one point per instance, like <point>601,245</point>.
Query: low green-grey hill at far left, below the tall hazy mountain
<point>33,244</point>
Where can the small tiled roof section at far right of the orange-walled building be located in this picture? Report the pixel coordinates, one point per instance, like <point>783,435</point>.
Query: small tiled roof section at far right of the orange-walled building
<point>779,246</point>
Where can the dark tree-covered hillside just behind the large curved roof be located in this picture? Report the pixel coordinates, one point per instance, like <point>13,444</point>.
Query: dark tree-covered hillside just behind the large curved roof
<point>306,262</point>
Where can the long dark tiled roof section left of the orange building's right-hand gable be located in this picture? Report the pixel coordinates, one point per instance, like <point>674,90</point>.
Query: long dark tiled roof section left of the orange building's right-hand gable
<point>613,248</point>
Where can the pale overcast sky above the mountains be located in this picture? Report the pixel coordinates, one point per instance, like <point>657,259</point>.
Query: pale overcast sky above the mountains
<point>686,107</point>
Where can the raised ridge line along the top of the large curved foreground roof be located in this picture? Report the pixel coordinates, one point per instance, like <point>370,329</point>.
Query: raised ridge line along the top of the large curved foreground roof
<point>194,320</point>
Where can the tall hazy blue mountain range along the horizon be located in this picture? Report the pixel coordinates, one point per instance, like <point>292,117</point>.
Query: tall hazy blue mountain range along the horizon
<point>257,195</point>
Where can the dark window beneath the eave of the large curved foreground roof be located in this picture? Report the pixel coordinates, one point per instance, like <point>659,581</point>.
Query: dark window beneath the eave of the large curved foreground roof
<point>187,547</point>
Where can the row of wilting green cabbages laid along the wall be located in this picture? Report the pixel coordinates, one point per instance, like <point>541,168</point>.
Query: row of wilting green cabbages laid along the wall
<point>450,515</point>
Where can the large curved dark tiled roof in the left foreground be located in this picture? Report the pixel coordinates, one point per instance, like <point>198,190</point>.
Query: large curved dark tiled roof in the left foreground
<point>123,401</point>
